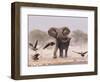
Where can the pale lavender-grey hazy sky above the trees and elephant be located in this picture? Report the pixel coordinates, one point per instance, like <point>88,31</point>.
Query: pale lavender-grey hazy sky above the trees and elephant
<point>45,22</point>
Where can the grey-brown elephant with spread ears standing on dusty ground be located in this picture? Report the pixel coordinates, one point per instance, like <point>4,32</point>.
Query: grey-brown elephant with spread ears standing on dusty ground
<point>62,40</point>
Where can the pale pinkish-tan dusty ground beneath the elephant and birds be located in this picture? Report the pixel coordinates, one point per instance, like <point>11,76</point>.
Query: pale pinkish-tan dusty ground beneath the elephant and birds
<point>46,57</point>
